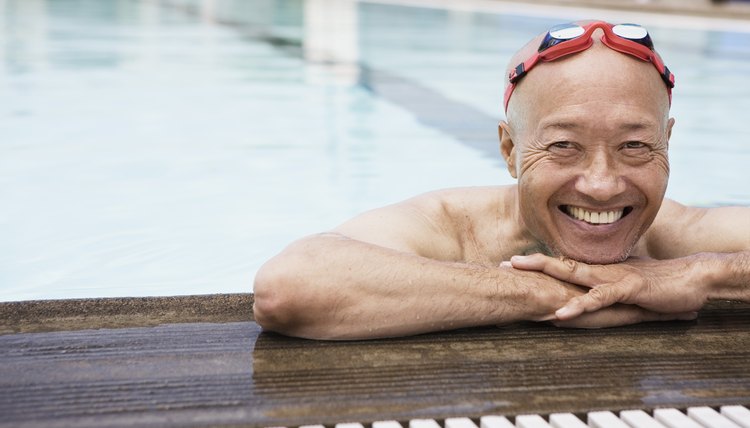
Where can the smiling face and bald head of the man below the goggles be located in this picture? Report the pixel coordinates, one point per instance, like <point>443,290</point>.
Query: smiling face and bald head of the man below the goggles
<point>587,139</point>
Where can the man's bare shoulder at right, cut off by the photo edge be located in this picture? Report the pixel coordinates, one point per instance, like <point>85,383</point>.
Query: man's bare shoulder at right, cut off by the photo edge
<point>680,230</point>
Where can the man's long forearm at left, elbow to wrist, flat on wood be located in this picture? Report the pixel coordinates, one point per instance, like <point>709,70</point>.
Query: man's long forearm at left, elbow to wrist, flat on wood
<point>332,287</point>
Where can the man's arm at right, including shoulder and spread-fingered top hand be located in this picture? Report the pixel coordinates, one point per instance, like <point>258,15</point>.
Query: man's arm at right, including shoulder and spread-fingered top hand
<point>705,255</point>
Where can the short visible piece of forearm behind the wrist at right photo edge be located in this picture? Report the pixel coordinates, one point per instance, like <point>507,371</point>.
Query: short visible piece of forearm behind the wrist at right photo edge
<point>728,275</point>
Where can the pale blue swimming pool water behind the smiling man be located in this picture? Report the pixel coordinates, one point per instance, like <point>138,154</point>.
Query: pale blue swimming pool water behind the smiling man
<point>170,147</point>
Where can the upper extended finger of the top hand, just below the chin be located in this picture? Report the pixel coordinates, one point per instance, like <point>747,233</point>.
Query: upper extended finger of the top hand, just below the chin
<point>563,268</point>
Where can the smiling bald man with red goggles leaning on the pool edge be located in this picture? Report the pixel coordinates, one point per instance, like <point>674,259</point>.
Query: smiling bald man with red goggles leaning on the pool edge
<point>585,238</point>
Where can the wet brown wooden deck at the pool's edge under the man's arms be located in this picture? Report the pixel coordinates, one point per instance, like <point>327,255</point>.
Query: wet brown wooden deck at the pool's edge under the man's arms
<point>202,361</point>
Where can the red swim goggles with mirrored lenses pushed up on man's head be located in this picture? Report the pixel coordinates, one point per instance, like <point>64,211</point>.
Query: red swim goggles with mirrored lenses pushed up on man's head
<point>566,39</point>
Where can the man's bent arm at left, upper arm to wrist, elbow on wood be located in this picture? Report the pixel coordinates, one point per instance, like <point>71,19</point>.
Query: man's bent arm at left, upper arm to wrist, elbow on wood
<point>391,272</point>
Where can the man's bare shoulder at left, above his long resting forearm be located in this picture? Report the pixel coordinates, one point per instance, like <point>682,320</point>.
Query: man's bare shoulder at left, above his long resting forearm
<point>432,224</point>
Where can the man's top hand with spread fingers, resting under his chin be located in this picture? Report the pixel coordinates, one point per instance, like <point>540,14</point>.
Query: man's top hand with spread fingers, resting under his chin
<point>665,287</point>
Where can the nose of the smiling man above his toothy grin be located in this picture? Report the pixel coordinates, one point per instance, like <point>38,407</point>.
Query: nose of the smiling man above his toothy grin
<point>601,179</point>
